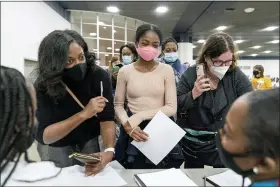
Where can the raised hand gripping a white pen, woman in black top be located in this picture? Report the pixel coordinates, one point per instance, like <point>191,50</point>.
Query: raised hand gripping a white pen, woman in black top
<point>94,106</point>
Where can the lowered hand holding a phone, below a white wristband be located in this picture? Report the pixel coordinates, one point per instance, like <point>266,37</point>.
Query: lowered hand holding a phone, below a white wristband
<point>93,169</point>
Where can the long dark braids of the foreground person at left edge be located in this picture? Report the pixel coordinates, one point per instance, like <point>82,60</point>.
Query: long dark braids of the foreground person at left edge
<point>17,116</point>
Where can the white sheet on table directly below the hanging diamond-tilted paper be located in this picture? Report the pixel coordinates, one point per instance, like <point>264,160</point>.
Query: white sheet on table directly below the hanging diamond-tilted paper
<point>169,177</point>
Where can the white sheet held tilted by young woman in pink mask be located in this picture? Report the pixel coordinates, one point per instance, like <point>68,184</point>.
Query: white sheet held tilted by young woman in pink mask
<point>164,134</point>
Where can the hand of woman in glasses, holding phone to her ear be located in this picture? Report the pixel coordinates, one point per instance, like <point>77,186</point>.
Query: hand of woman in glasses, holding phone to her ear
<point>201,85</point>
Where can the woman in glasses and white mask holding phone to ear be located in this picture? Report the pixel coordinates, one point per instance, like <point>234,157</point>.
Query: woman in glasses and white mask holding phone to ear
<point>205,93</point>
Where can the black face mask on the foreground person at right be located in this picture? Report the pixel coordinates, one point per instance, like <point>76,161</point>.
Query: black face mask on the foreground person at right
<point>227,159</point>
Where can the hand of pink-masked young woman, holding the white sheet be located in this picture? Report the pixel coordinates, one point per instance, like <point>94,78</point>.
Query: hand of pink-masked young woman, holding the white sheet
<point>136,133</point>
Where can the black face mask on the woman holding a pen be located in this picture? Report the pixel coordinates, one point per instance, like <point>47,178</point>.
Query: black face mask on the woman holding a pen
<point>77,72</point>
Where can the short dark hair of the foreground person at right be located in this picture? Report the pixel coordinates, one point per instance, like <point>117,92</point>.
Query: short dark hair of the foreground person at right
<point>262,126</point>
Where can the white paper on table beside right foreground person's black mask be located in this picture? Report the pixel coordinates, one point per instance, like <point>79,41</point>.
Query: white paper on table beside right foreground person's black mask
<point>229,178</point>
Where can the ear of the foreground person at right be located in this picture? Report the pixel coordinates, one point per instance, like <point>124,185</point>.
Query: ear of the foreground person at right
<point>267,165</point>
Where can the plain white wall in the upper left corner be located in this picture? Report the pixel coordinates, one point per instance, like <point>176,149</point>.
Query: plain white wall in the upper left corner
<point>23,26</point>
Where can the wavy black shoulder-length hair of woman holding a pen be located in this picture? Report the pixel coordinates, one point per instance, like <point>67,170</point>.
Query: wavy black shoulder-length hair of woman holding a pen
<point>53,56</point>
